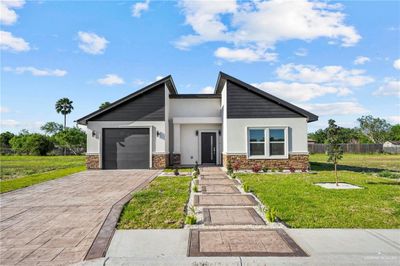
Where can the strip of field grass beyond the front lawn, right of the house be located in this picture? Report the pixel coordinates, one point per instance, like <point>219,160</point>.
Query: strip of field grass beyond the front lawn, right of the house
<point>359,162</point>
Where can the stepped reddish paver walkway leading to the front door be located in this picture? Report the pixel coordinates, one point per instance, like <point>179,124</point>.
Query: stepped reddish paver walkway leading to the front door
<point>229,217</point>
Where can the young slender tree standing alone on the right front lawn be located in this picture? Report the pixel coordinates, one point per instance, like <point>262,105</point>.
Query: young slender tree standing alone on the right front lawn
<point>335,151</point>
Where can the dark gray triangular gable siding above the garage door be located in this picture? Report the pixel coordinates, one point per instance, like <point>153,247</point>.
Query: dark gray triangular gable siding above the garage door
<point>149,106</point>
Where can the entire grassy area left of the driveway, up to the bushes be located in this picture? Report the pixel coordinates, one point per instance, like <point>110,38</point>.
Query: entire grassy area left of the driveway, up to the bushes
<point>23,171</point>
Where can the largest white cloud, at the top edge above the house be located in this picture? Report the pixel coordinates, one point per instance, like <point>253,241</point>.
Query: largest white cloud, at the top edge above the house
<point>259,25</point>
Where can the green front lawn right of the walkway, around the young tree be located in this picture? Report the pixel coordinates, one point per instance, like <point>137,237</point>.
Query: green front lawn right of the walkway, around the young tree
<point>301,204</point>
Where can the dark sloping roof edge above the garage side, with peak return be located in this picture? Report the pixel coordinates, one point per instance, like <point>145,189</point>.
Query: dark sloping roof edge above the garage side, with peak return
<point>168,80</point>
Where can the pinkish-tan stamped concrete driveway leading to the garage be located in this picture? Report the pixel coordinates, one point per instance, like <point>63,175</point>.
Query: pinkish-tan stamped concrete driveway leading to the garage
<point>56,222</point>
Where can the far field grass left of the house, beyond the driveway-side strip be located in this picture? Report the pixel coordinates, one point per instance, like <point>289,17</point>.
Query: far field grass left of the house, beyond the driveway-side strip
<point>19,166</point>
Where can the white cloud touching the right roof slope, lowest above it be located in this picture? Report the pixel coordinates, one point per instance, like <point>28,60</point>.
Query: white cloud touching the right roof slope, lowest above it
<point>299,91</point>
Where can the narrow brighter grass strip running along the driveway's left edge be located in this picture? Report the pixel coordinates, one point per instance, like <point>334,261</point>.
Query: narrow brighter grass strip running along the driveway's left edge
<point>26,181</point>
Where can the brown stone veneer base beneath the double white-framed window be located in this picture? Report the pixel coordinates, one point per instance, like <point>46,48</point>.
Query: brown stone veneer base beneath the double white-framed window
<point>297,161</point>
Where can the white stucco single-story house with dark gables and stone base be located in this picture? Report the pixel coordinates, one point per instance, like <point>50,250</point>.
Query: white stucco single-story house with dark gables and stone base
<point>156,127</point>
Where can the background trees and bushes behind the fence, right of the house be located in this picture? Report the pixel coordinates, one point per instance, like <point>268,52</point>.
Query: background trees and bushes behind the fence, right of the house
<point>370,130</point>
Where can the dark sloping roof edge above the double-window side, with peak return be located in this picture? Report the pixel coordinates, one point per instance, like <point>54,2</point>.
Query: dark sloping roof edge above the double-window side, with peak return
<point>222,78</point>
